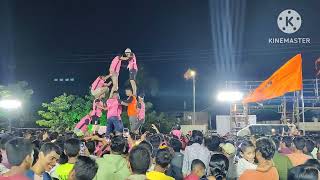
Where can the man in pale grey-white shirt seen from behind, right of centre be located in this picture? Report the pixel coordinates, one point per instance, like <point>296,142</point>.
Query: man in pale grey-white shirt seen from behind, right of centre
<point>195,151</point>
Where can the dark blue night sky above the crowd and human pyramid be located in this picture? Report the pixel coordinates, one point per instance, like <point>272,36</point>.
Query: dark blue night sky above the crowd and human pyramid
<point>42,40</point>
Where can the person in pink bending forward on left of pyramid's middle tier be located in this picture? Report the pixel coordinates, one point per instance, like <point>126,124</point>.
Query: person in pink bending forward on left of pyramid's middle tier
<point>99,86</point>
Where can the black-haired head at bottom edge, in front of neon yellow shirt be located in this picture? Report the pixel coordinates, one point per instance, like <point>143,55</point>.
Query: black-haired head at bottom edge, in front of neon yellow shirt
<point>85,168</point>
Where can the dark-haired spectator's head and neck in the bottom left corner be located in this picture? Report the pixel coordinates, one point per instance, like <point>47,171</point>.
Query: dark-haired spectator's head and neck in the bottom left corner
<point>20,156</point>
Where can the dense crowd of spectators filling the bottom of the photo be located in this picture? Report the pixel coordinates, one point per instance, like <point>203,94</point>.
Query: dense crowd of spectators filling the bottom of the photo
<point>160,155</point>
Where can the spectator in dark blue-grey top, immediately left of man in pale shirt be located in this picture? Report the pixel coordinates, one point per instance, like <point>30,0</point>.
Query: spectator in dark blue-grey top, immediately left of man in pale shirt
<point>175,169</point>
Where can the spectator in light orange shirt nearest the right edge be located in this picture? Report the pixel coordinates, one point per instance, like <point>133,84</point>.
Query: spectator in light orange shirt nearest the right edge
<point>298,157</point>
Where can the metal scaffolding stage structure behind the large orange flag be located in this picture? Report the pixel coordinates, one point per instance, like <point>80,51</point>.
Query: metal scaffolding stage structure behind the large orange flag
<point>291,106</point>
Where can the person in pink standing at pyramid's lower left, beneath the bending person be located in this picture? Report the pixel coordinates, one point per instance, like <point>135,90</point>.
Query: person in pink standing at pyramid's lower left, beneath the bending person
<point>96,113</point>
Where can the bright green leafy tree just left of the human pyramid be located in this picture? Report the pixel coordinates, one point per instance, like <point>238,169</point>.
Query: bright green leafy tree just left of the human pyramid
<point>64,111</point>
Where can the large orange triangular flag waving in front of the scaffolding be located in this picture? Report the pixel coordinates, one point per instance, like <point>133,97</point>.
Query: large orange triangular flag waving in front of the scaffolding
<point>286,79</point>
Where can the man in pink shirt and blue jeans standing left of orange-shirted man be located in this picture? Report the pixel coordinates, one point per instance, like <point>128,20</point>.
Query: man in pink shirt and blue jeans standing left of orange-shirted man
<point>114,123</point>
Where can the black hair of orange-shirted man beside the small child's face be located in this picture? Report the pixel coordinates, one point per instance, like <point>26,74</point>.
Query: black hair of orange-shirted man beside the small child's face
<point>266,147</point>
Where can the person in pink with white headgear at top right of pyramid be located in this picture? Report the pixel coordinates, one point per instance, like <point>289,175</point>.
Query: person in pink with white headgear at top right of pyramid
<point>133,69</point>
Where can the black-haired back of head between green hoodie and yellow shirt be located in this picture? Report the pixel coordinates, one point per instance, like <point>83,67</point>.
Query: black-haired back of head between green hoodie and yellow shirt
<point>140,160</point>
